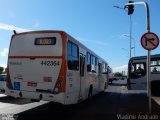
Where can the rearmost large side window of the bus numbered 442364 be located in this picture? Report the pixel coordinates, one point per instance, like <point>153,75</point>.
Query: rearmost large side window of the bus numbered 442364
<point>73,56</point>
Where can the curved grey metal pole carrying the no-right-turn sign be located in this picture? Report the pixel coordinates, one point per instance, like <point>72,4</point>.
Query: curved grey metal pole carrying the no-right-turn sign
<point>149,52</point>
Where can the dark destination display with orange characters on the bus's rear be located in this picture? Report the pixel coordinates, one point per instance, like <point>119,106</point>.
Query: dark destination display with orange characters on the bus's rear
<point>45,41</point>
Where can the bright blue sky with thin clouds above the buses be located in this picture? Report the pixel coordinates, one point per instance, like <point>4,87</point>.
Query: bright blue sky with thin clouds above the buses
<point>96,23</point>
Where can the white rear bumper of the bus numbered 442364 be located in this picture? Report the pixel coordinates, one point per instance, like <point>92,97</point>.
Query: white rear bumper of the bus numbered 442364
<point>37,95</point>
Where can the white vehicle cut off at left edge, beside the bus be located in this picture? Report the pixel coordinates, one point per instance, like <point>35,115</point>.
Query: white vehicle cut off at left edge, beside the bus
<point>2,82</point>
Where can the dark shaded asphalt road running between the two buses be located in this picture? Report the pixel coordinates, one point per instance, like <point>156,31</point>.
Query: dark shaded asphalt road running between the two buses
<point>115,103</point>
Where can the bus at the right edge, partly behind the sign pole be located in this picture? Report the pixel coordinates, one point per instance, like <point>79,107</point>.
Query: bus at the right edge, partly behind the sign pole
<point>137,73</point>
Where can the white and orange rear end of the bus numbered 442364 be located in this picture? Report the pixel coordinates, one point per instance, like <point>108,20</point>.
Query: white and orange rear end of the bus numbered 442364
<point>35,66</point>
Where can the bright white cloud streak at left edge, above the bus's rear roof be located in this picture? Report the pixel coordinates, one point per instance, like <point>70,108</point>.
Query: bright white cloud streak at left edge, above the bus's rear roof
<point>4,26</point>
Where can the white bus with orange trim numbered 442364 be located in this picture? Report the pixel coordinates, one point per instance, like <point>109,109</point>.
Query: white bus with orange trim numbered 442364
<point>53,66</point>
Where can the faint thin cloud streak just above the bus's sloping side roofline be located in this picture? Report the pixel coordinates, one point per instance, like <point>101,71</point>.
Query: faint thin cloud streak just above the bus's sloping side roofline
<point>94,41</point>
